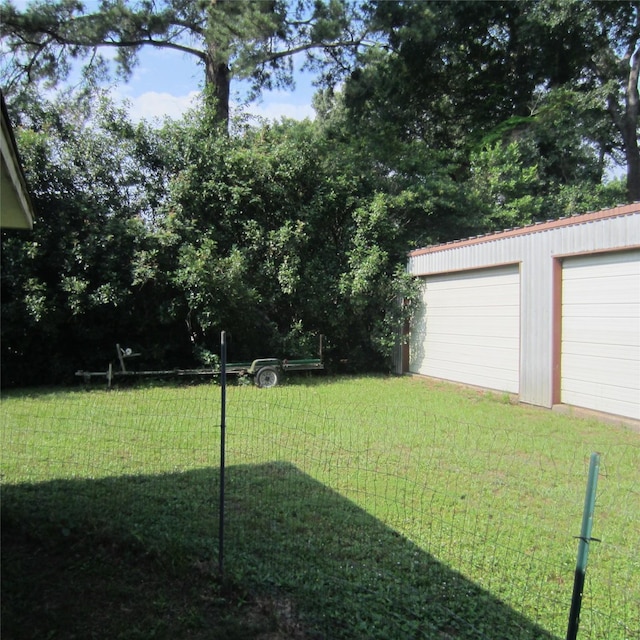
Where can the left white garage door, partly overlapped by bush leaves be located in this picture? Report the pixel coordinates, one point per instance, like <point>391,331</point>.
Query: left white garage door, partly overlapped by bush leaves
<point>467,328</point>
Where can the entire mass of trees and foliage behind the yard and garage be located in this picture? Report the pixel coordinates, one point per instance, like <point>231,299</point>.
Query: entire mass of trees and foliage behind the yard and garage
<point>455,118</point>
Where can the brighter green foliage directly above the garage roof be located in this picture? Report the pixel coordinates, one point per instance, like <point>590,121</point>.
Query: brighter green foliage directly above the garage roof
<point>531,169</point>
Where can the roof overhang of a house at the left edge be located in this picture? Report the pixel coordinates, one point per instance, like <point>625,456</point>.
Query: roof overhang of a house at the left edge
<point>16,210</point>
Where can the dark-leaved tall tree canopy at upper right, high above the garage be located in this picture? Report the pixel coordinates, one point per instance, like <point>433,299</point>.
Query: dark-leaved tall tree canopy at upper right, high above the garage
<point>456,74</point>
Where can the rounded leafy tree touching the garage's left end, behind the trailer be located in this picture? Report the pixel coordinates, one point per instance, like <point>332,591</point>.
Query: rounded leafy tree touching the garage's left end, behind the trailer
<point>283,234</point>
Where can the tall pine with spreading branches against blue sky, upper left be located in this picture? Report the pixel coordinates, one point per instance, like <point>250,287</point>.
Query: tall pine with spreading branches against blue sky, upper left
<point>255,40</point>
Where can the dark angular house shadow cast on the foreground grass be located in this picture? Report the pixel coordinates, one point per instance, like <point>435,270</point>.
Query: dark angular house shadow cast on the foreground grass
<point>136,557</point>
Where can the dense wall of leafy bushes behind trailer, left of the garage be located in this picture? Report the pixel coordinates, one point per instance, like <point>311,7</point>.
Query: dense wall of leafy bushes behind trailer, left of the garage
<point>272,235</point>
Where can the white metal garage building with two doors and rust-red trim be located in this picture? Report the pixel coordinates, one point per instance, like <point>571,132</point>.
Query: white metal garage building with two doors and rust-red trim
<point>550,312</point>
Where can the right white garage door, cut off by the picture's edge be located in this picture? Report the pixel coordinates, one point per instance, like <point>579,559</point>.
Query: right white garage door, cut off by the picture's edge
<point>601,333</point>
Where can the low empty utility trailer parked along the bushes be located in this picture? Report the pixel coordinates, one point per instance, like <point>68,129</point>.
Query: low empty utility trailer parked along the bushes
<point>266,372</point>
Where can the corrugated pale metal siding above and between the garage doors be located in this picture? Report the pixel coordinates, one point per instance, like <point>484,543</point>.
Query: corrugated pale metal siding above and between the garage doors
<point>534,250</point>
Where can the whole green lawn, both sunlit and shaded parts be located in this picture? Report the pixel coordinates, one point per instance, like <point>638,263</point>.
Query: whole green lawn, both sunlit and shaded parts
<point>367,507</point>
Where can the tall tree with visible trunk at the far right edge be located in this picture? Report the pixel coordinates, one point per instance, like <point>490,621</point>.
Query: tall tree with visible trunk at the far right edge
<point>594,52</point>
